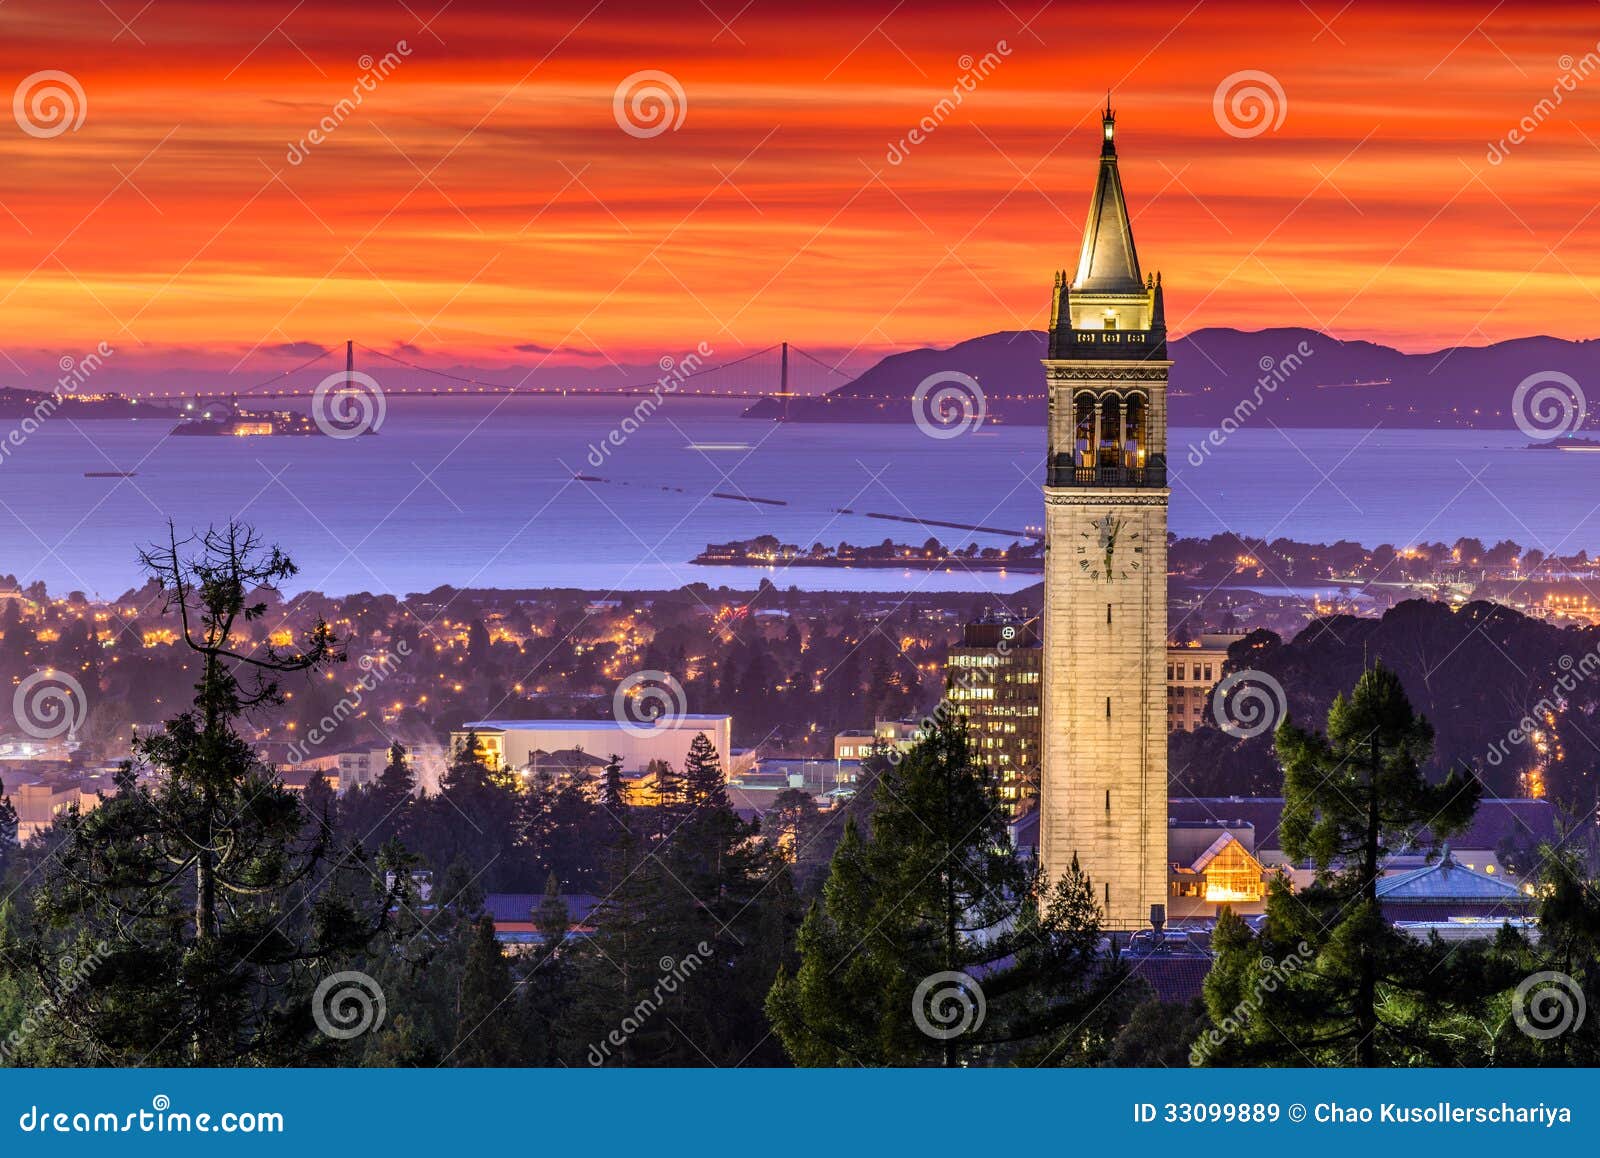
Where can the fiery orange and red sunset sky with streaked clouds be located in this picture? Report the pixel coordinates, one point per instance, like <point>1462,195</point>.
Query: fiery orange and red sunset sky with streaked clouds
<point>490,204</point>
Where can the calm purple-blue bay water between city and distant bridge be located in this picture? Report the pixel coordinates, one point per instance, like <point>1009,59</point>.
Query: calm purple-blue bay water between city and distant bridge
<point>474,493</point>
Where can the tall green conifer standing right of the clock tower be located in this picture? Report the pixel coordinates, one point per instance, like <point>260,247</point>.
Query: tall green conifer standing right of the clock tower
<point>1358,989</point>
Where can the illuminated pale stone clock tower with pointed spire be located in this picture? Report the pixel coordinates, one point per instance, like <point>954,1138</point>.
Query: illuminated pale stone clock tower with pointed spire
<point>1103,786</point>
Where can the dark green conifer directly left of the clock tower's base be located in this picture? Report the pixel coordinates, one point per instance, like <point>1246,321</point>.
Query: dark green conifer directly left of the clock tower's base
<point>937,944</point>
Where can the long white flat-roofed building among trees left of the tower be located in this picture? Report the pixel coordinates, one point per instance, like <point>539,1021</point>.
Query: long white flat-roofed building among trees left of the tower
<point>513,743</point>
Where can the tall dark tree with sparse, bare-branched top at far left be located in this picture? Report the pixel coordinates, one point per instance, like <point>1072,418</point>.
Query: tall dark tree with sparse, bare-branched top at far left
<point>199,906</point>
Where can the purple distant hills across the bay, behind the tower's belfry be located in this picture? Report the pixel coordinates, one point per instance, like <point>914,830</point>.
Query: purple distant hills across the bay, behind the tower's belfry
<point>1214,370</point>
